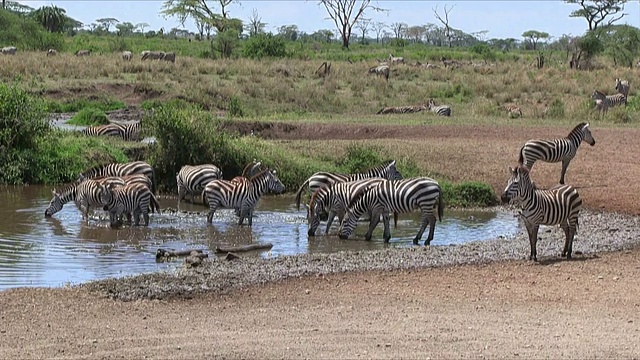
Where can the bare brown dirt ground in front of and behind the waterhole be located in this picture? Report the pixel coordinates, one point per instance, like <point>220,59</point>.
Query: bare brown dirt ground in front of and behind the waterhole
<point>577,309</point>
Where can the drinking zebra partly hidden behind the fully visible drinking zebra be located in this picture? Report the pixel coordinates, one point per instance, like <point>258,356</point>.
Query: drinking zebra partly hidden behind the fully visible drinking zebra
<point>334,199</point>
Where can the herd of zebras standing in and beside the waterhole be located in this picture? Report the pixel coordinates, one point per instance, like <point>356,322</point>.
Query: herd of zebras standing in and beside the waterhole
<point>128,189</point>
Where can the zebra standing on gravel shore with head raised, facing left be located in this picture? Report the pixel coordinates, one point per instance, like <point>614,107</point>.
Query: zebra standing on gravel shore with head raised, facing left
<point>559,205</point>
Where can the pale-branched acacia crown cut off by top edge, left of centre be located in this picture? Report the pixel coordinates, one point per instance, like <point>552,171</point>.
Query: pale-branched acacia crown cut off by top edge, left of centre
<point>198,10</point>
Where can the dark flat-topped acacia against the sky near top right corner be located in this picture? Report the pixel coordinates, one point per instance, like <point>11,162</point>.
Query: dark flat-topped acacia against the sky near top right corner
<point>598,11</point>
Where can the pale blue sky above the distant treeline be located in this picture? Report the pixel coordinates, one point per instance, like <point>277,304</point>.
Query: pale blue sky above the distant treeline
<point>502,19</point>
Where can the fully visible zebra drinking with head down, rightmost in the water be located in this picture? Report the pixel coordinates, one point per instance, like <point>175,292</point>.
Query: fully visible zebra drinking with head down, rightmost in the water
<point>399,196</point>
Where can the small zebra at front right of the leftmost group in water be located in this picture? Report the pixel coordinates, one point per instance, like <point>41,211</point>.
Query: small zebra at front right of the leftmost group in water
<point>132,199</point>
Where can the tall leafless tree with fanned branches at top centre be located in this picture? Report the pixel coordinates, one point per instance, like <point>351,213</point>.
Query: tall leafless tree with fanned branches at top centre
<point>343,15</point>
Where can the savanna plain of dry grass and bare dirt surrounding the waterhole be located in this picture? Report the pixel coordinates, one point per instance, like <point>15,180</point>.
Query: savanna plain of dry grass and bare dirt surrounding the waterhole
<point>584,307</point>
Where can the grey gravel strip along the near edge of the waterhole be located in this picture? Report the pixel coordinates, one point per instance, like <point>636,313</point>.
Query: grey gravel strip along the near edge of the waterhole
<point>598,232</point>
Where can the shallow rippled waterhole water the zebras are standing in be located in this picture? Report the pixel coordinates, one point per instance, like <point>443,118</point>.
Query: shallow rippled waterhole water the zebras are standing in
<point>39,251</point>
